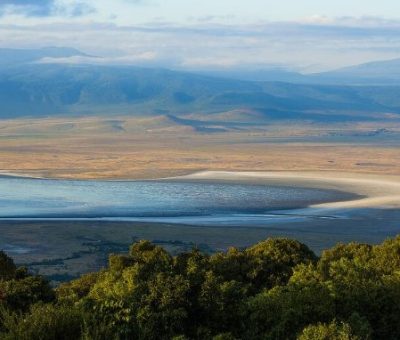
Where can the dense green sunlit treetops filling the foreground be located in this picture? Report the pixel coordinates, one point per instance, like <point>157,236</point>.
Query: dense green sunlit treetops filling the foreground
<point>277,289</point>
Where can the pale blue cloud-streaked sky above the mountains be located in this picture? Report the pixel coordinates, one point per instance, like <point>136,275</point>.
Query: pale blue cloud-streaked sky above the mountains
<point>306,36</point>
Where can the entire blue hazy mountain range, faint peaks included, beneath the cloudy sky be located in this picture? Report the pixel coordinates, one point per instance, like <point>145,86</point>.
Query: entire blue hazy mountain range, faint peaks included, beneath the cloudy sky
<point>29,87</point>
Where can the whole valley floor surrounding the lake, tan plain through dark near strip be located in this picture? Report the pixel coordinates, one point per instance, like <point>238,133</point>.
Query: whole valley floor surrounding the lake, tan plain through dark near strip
<point>359,158</point>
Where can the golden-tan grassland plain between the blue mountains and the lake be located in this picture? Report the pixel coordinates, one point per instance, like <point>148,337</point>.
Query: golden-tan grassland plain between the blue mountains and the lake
<point>154,147</point>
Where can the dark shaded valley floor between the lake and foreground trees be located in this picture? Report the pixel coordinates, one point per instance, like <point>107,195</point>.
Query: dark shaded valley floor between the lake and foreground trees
<point>65,249</point>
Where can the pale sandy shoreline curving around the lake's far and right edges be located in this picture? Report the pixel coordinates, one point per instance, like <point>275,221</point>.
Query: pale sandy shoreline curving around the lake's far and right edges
<point>371,190</point>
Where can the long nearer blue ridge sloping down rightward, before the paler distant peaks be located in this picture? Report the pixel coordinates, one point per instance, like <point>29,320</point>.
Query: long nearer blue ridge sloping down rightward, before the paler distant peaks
<point>50,89</point>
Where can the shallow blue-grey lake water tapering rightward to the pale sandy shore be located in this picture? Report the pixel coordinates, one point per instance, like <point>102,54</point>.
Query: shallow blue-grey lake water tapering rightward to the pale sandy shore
<point>158,200</point>
